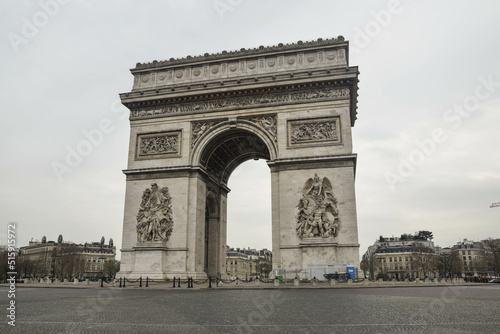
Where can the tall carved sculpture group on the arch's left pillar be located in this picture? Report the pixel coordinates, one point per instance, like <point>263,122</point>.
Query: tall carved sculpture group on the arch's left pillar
<point>154,219</point>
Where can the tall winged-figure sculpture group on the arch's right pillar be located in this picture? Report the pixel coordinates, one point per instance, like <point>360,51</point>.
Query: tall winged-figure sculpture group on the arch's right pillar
<point>318,213</point>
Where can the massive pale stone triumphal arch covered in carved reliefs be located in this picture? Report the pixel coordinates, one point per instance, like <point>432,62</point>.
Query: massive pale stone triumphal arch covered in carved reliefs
<point>194,120</point>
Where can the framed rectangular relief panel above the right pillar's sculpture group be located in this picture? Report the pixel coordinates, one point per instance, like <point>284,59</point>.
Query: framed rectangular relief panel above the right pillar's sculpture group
<point>314,131</point>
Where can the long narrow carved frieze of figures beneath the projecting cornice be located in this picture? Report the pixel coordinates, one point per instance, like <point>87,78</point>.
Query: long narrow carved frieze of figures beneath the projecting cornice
<point>231,102</point>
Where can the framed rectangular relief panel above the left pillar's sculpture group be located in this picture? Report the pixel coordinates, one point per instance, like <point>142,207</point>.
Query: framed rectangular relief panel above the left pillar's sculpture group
<point>158,145</point>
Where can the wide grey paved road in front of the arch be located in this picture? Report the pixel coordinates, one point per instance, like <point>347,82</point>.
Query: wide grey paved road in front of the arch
<point>459,309</point>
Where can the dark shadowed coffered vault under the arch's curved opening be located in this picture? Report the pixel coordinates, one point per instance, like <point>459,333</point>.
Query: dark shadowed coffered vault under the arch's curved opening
<point>230,149</point>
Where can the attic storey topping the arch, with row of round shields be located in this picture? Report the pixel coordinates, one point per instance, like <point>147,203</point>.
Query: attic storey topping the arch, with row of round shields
<point>305,57</point>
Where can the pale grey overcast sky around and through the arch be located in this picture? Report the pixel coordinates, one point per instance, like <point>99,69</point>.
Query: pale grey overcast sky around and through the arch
<point>427,134</point>
